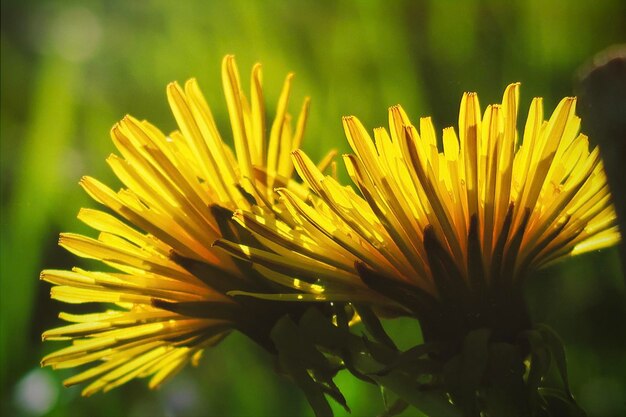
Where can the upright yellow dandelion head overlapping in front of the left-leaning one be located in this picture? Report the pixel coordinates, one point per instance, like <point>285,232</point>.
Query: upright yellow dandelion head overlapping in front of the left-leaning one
<point>453,221</point>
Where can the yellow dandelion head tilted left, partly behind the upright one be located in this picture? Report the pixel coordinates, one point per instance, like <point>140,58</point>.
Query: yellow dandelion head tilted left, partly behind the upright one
<point>166,285</point>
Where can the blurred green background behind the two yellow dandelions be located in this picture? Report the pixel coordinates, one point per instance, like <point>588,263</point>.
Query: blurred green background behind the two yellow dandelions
<point>71,69</point>
